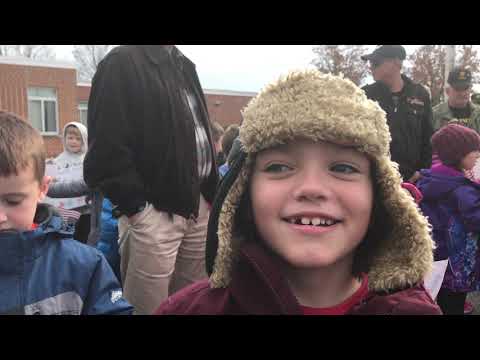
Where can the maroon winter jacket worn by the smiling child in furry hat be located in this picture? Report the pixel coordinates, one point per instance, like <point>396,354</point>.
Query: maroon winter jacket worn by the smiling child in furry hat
<point>257,287</point>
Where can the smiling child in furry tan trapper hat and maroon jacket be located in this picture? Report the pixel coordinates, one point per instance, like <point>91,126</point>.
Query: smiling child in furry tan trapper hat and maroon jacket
<point>311,218</point>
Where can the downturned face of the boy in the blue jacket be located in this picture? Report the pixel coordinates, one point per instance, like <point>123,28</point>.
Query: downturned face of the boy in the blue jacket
<point>19,196</point>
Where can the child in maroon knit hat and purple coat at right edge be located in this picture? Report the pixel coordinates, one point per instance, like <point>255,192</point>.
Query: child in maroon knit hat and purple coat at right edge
<point>451,201</point>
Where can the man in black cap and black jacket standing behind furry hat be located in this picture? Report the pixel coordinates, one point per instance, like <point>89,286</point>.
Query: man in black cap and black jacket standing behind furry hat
<point>408,108</point>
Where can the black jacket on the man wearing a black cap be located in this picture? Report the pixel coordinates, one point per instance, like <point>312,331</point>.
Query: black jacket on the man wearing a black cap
<point>410,123</point>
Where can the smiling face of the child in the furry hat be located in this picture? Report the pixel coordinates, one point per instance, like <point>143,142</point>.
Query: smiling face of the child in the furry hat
<point>312,202</point>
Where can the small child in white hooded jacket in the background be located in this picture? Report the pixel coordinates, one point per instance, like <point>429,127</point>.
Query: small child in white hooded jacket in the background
<point>72,188</point>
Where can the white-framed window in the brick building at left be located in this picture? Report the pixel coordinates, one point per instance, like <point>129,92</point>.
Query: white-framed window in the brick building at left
<point>42,109</point>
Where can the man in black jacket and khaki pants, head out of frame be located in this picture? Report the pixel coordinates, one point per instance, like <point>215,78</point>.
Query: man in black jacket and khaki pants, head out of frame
<point>151,152</point>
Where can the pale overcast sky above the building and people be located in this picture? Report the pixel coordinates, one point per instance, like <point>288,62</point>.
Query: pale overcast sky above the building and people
<point>238,67</point>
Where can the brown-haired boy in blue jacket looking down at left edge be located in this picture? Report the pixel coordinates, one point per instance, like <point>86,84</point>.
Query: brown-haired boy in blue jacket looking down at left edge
<point>43,271</point>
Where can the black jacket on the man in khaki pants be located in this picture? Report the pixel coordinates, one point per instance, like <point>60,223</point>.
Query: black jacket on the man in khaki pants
<point>142,143</point>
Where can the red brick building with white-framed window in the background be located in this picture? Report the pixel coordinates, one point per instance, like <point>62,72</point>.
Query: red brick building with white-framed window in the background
<point>48,95</point>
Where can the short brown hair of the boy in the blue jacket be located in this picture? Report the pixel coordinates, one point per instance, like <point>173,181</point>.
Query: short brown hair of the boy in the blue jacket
<point>20,146</point>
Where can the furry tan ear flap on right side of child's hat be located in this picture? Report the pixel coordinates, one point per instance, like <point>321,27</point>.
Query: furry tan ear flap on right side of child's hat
<point>406,255</point>
